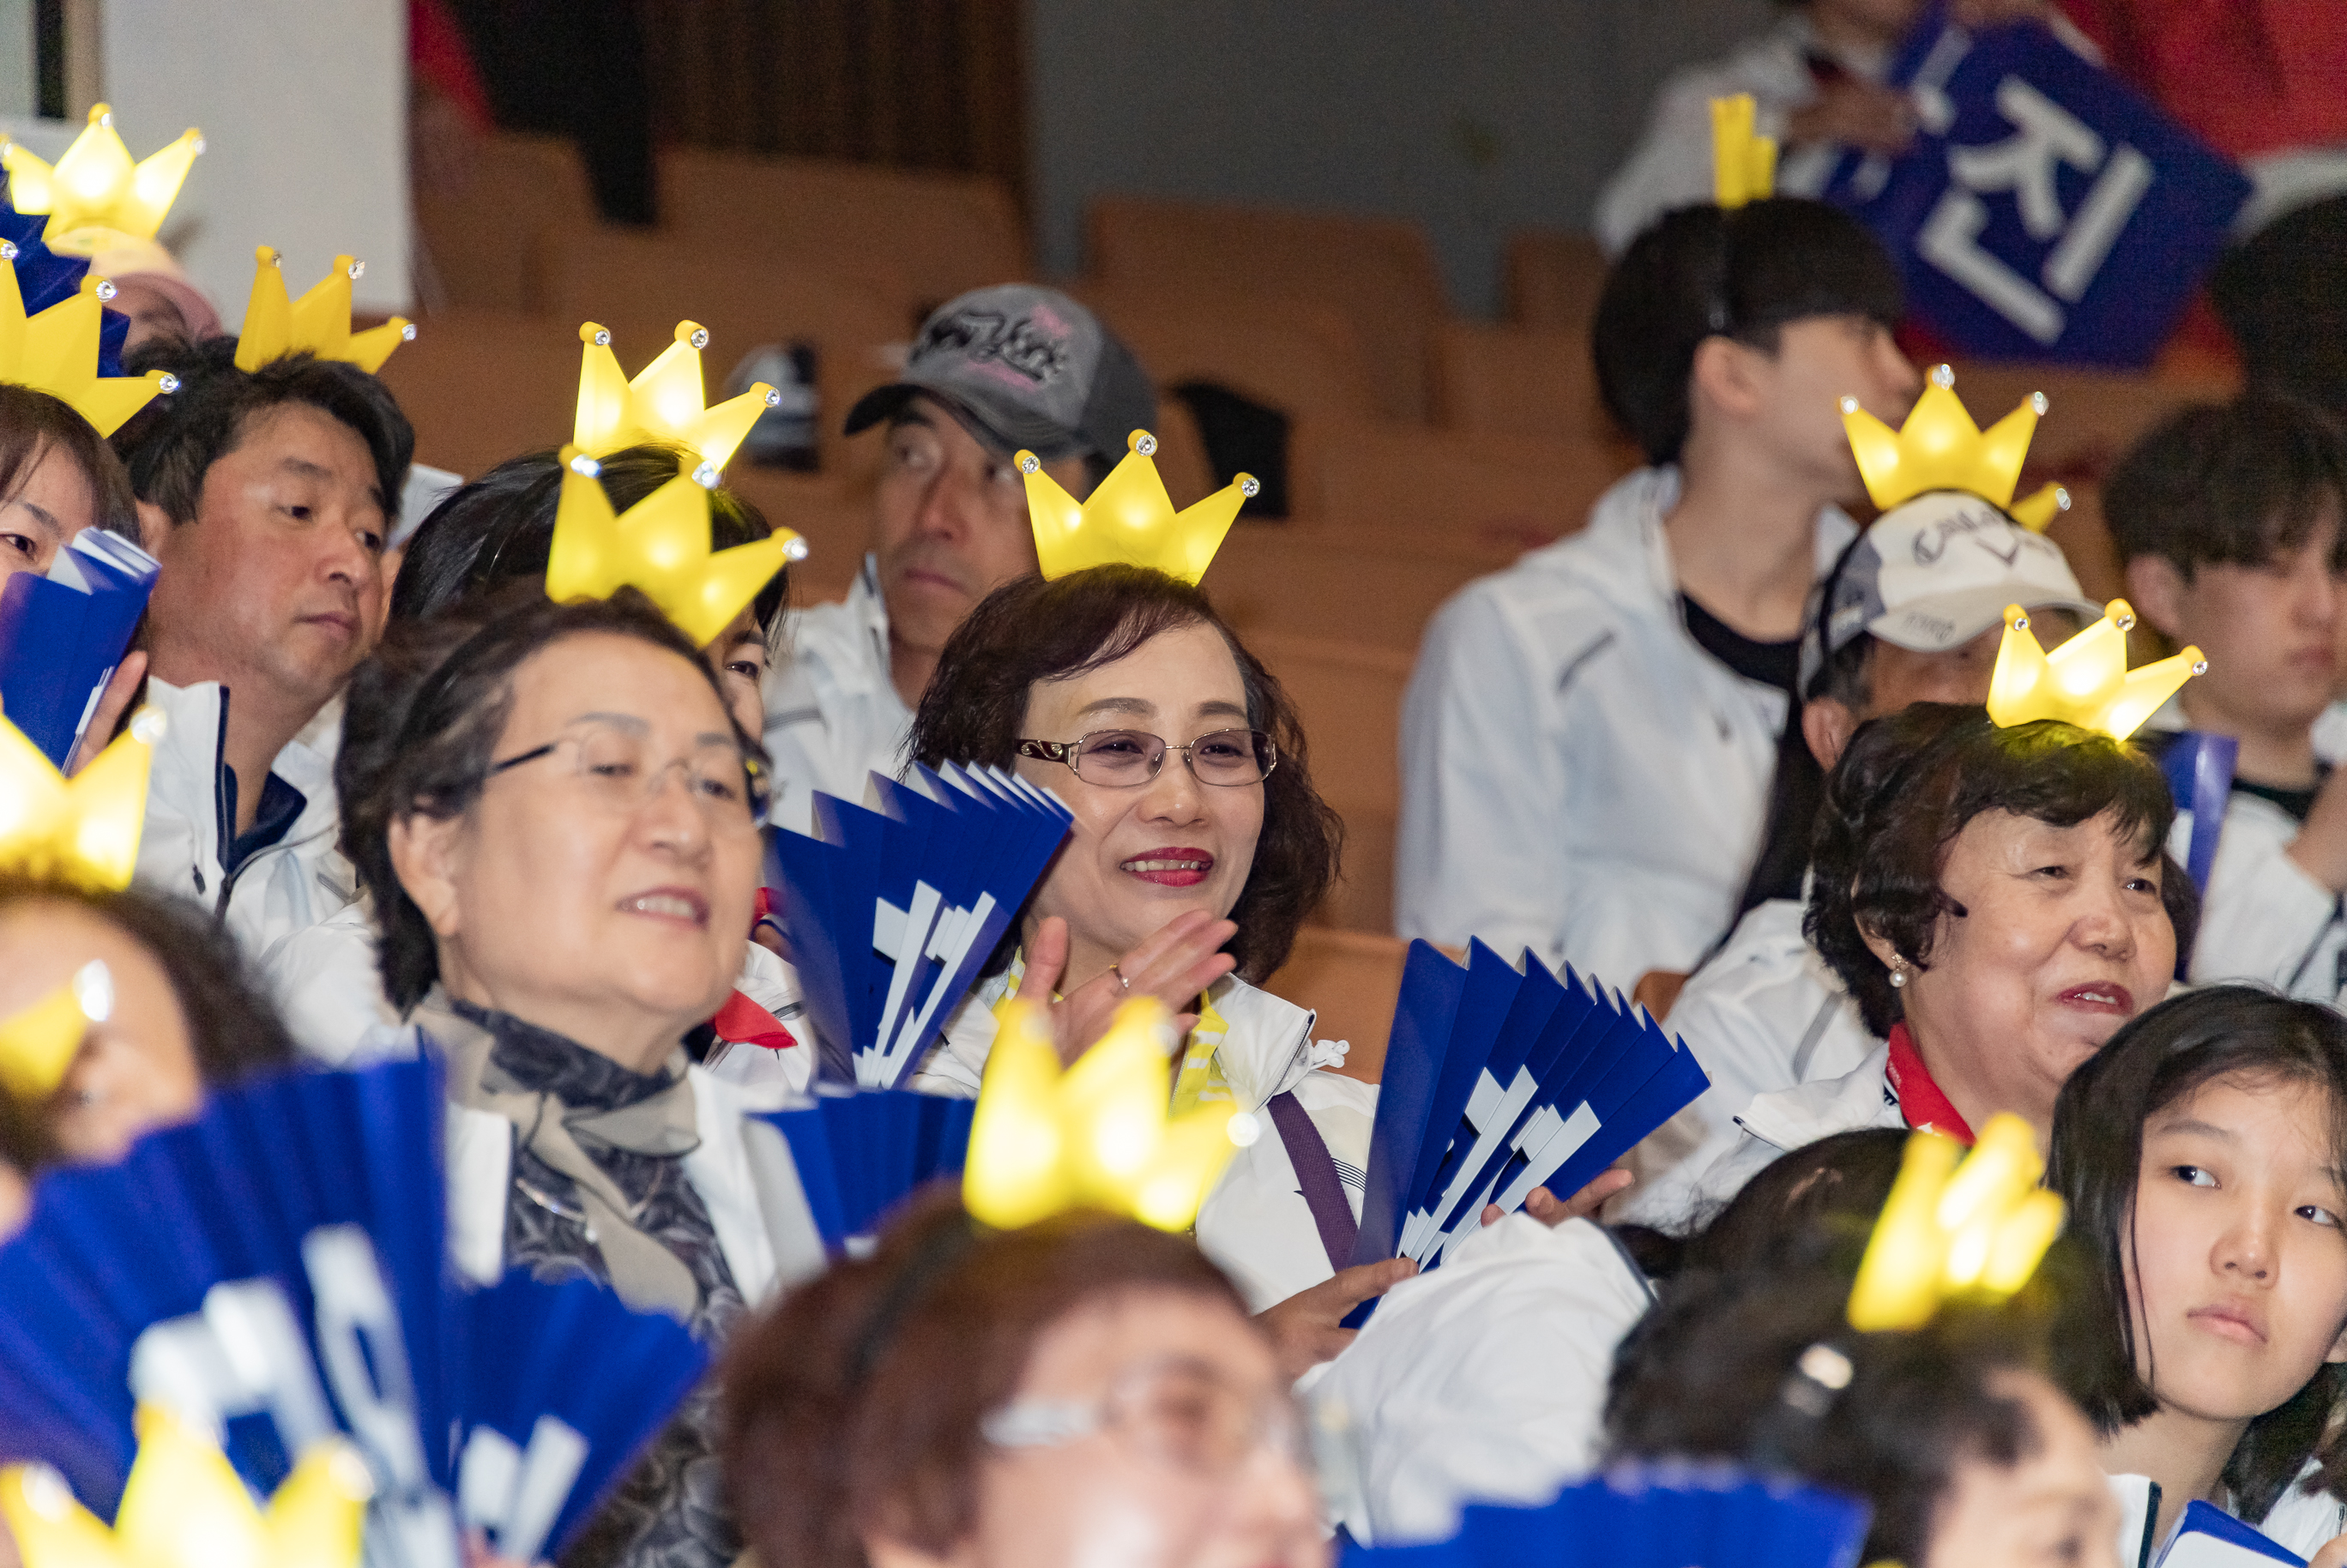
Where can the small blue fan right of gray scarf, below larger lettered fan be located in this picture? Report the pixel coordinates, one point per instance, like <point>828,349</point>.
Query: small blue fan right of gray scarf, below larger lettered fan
<point>860,1154</point>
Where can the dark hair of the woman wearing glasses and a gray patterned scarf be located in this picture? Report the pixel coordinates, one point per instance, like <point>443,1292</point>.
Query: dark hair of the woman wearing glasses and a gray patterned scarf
<point>424,717</point>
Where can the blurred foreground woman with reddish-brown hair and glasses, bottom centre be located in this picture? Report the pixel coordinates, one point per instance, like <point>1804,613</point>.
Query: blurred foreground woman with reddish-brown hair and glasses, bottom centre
<point>1083,1391</point>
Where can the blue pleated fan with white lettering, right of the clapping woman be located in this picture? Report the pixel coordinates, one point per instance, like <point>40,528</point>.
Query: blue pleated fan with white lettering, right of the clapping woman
<point>1501,1081</point>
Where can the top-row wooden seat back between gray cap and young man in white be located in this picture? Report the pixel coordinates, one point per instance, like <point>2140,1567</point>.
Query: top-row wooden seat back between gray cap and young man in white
<point>1379,271</point>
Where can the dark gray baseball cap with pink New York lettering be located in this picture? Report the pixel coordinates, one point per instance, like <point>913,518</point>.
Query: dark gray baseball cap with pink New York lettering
<point>1022,367</point>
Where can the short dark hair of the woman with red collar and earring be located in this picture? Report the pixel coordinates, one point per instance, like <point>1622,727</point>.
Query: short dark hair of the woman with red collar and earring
<point>1907,788</point>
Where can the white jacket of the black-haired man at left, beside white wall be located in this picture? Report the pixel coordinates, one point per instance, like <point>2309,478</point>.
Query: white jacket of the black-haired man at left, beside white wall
<point>283,888</point>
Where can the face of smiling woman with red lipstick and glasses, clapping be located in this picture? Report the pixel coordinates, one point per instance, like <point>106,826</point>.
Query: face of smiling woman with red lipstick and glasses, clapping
<point>1156,851</point>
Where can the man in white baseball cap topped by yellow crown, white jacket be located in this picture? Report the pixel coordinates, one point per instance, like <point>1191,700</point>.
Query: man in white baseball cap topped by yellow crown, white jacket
<point>1914,611</point>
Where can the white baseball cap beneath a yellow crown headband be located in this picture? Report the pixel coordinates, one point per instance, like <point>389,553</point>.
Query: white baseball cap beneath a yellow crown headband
<point>1937,574</point>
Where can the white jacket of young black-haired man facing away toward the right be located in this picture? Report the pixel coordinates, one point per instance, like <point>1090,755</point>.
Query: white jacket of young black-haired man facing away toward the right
<point>1578,776</point>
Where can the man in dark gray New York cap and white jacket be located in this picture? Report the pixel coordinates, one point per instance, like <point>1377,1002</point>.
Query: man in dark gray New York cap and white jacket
<point>994,372</point>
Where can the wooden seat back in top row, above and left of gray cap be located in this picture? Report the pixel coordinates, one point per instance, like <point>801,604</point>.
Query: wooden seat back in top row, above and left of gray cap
<point>935,236</point>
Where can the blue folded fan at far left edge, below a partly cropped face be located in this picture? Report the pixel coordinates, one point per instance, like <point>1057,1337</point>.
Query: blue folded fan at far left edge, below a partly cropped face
<point>65,633</point>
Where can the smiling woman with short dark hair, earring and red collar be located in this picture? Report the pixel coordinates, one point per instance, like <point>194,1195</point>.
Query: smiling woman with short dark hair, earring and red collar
<point>1998,903</point>
